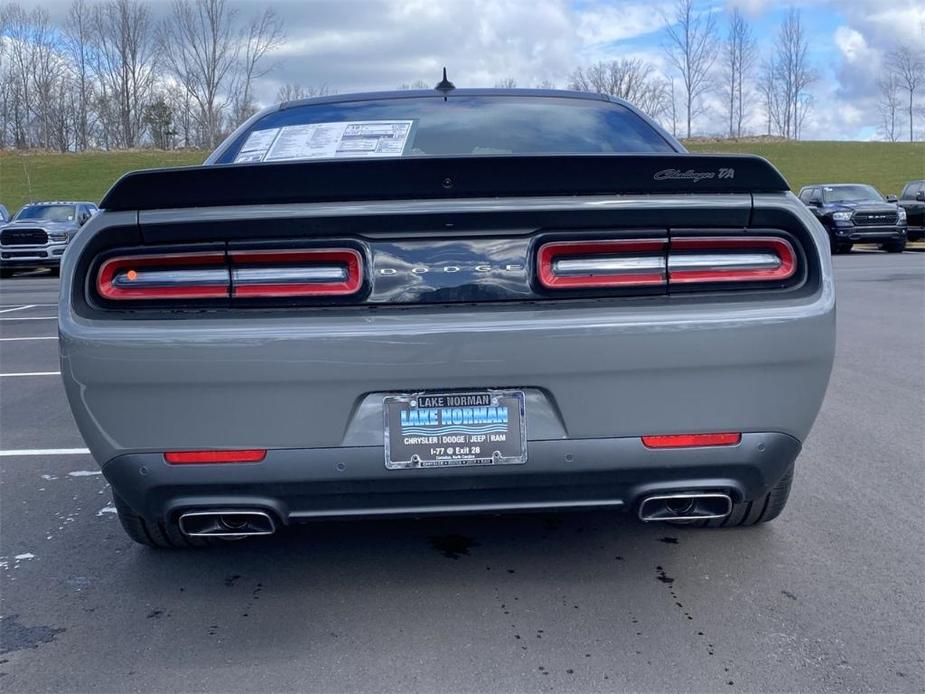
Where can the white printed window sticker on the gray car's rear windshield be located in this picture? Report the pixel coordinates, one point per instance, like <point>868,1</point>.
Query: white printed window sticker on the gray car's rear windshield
<point>327,141</point>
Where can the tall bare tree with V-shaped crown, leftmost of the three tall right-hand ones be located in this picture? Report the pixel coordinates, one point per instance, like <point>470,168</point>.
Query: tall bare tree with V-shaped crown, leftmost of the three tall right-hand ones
<point>691,49</point>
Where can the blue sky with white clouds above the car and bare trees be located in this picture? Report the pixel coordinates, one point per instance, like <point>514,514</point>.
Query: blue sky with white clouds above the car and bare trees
<point>359,45</point>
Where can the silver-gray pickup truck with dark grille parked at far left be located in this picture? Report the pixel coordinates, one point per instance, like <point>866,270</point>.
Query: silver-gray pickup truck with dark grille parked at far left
<point>38,234</point>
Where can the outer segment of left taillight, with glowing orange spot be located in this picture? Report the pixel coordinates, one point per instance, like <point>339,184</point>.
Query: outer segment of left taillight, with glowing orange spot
<point>168,276</point>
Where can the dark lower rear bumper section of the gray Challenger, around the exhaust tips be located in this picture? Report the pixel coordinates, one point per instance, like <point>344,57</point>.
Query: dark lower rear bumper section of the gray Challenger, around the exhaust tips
<point>303,484</point>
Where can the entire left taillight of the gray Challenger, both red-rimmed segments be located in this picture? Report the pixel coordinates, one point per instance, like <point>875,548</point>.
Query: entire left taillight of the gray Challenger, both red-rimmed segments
<point>238,274</point>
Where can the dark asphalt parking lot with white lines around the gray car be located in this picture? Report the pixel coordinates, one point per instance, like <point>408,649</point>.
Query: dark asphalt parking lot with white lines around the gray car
<point>829,597</point>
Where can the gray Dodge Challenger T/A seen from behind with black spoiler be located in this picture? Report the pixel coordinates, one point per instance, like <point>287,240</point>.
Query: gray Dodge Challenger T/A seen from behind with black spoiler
<point>446,301</point>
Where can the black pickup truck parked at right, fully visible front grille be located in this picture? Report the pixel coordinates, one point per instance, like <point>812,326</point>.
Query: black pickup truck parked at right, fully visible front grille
<point>857,213</point>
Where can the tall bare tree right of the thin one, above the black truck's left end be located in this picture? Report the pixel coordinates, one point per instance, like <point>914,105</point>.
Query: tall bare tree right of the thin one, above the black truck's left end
<point>793,75</point>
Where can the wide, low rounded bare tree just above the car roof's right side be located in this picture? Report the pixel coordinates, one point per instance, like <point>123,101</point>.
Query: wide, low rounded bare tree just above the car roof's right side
<point>628,78</point>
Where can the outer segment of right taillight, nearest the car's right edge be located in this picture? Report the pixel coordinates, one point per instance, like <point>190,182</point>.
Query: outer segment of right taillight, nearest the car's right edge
<point>704,260</point>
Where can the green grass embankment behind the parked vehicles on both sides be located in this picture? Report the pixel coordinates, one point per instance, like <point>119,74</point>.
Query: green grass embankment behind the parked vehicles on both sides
<point>88,176</point>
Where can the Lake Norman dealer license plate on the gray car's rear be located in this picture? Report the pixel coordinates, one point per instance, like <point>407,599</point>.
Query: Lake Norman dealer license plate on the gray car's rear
<point>454,429</point>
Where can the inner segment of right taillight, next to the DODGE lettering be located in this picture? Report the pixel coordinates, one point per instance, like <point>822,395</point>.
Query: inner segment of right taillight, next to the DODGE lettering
<point>590,264</point>
